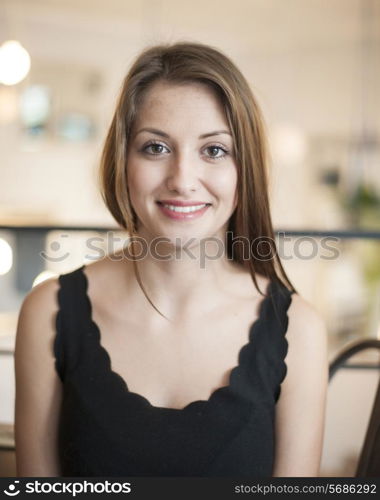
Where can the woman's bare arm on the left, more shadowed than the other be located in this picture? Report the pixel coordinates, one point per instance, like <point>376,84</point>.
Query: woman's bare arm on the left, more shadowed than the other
<point>38,387</point>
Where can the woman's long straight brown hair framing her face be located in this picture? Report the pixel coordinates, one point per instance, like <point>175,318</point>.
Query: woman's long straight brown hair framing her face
<point>184,62</point>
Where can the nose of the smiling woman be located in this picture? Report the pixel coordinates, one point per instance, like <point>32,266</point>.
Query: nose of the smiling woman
<point>183,175</point>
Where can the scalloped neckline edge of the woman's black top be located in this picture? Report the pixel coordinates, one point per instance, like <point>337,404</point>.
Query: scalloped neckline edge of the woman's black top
<point>252,332</point>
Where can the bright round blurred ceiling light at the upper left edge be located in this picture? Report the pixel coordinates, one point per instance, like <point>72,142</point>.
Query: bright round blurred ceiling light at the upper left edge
<point>14,62</point>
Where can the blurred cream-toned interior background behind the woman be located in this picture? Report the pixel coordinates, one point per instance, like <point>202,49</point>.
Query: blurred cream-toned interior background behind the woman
<point>314,67</point>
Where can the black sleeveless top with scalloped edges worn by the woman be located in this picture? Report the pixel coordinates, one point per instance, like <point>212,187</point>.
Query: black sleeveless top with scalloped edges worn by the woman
<point>107,430</point>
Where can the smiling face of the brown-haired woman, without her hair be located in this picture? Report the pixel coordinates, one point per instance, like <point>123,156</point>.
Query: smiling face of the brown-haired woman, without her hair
<point>181,149</point>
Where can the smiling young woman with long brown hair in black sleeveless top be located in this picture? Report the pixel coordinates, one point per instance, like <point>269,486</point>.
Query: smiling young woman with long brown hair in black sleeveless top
<point>189,352</point>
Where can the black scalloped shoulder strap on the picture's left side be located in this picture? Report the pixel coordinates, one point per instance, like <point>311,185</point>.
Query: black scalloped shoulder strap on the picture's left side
<point>70,321</point>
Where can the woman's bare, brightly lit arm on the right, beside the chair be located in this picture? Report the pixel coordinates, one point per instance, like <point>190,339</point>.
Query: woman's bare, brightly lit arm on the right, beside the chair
<point>300,410</point>
